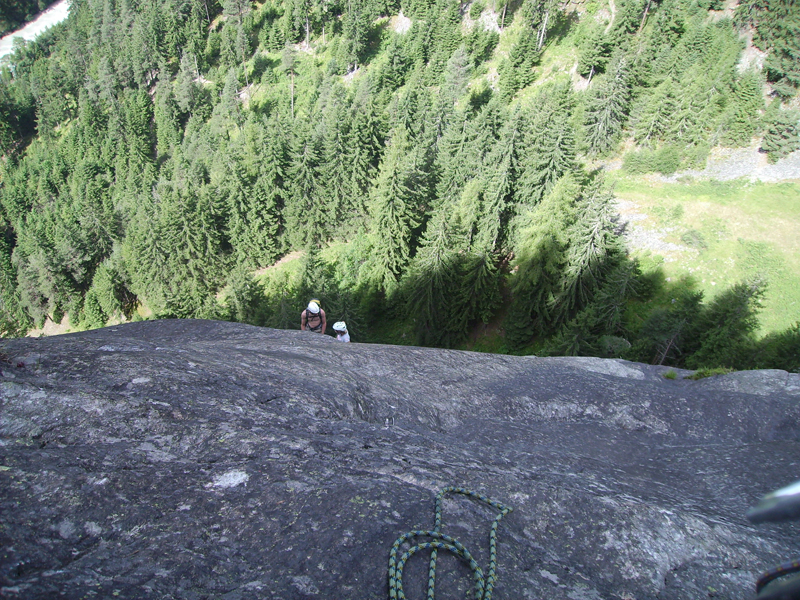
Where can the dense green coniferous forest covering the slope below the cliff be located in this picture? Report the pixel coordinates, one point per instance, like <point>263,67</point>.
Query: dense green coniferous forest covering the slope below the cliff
<point>426,175</point>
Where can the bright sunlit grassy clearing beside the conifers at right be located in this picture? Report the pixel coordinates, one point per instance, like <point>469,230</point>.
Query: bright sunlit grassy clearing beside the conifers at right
<point>720,233</point>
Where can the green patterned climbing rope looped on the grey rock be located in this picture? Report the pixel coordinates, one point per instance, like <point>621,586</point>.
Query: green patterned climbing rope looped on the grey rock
<point>483,585</point>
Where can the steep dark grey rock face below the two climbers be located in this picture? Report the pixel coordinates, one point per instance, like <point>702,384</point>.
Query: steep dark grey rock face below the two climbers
<point>198,459</point>
